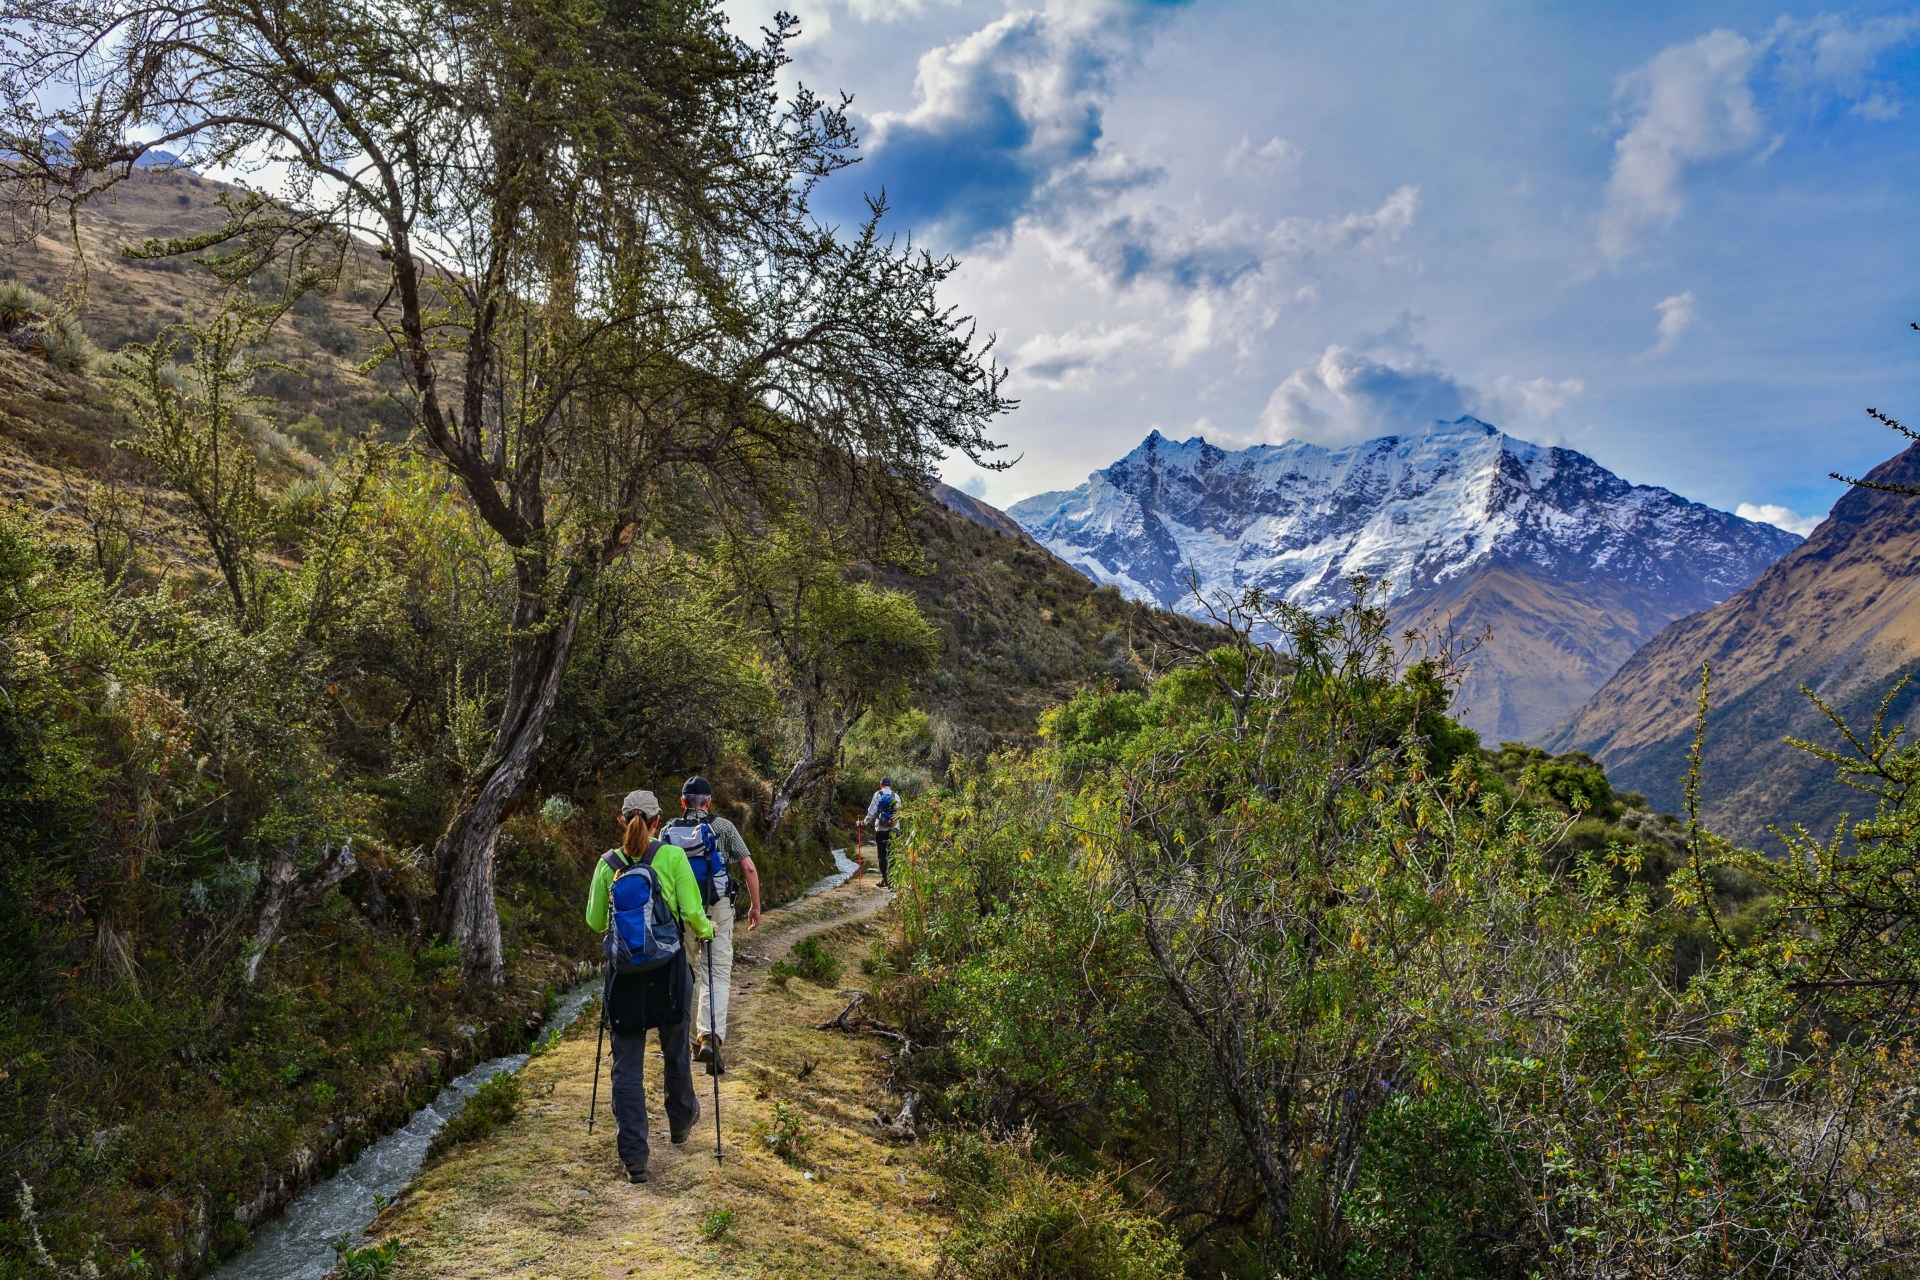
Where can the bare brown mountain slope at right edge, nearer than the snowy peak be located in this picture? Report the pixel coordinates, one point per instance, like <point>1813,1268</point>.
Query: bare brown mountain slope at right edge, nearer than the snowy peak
<point>1840,615</point>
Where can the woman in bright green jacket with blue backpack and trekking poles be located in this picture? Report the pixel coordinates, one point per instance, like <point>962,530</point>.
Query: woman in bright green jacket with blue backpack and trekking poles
<point>656,907</point>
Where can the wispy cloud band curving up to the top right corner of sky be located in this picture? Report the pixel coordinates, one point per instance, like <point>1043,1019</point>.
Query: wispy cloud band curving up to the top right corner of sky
<point>1698,103</point>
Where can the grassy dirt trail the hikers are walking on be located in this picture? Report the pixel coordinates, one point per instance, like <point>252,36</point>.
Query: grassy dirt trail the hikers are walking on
<point>540,1198</point>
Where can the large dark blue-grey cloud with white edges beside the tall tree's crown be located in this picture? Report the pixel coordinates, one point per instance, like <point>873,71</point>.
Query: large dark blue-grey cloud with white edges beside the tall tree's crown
<point>1003,112</point>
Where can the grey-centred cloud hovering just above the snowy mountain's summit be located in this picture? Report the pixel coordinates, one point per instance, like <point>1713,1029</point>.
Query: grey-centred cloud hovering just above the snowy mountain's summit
<point>1349,396</point>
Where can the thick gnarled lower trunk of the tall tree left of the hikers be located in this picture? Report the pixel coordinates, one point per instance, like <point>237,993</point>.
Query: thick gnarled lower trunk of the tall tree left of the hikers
<point>466,855</point>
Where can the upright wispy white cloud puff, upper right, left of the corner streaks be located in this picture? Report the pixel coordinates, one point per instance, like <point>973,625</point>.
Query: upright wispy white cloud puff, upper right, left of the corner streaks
<point>1689,105</point>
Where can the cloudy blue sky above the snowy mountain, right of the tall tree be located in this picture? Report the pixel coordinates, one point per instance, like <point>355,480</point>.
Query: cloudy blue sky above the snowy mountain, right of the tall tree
<point>1679,239</point>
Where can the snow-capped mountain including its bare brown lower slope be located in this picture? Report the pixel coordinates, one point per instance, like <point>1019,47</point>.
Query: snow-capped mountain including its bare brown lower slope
<point>1568,563</point>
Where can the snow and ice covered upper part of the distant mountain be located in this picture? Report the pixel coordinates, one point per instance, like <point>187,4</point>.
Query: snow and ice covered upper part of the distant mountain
<point>1410,511</point>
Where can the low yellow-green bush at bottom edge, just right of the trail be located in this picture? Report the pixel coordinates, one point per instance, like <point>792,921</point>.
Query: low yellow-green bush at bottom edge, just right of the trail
<point>1020,1218</point>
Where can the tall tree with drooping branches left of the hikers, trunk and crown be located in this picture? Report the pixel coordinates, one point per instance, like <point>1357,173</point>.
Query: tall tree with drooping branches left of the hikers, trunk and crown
<point>604,279</point>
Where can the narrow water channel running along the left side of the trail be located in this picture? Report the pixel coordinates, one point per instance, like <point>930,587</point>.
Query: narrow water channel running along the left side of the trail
<point>300,1243</point>
